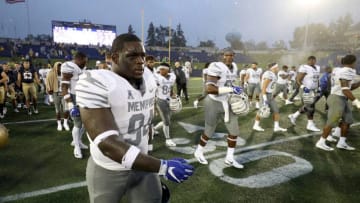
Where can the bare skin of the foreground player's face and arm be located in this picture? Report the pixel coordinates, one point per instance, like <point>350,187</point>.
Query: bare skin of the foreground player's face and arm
<point>127,63</point>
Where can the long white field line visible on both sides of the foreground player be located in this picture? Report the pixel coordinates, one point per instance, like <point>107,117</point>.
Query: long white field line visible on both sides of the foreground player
<point>82,184</point>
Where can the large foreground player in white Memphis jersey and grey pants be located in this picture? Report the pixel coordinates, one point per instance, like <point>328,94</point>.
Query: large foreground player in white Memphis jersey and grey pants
<point>123,102</point>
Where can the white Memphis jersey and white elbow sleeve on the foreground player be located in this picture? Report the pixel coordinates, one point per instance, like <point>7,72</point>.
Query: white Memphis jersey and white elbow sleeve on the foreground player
<point>132,108</point>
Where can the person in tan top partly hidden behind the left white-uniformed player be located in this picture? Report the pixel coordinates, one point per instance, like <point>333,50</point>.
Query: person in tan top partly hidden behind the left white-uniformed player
<point>53,88</point>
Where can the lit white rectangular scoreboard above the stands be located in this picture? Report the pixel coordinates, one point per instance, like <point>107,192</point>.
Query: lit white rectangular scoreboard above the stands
<point>83,33</point>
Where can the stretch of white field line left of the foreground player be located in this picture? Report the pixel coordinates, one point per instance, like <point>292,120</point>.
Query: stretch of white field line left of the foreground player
<point>42,192</point>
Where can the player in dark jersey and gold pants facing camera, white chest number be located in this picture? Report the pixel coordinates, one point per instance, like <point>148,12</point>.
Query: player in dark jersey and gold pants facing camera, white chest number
<point>27,76</point>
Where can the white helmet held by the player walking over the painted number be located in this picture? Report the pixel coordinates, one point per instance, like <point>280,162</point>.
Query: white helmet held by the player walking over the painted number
<point>239,104</point>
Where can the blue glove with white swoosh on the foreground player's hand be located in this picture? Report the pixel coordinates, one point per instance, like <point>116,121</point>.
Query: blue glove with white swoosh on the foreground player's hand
<point>176,170</point>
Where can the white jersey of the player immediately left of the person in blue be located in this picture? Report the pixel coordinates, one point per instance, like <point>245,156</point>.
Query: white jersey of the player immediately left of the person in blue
<point>311,79</point>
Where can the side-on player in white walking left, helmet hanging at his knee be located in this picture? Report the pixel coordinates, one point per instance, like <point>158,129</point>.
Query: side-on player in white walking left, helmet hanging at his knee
<point>268,82</point>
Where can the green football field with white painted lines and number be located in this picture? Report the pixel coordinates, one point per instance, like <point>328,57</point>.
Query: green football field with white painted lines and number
<point>38,166</point>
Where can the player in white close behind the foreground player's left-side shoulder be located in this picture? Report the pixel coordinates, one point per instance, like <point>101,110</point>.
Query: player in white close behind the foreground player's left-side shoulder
<point>70,71</point>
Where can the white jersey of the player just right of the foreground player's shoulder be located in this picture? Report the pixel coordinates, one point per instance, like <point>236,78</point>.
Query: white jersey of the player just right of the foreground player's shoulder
<point>164,85</point>
